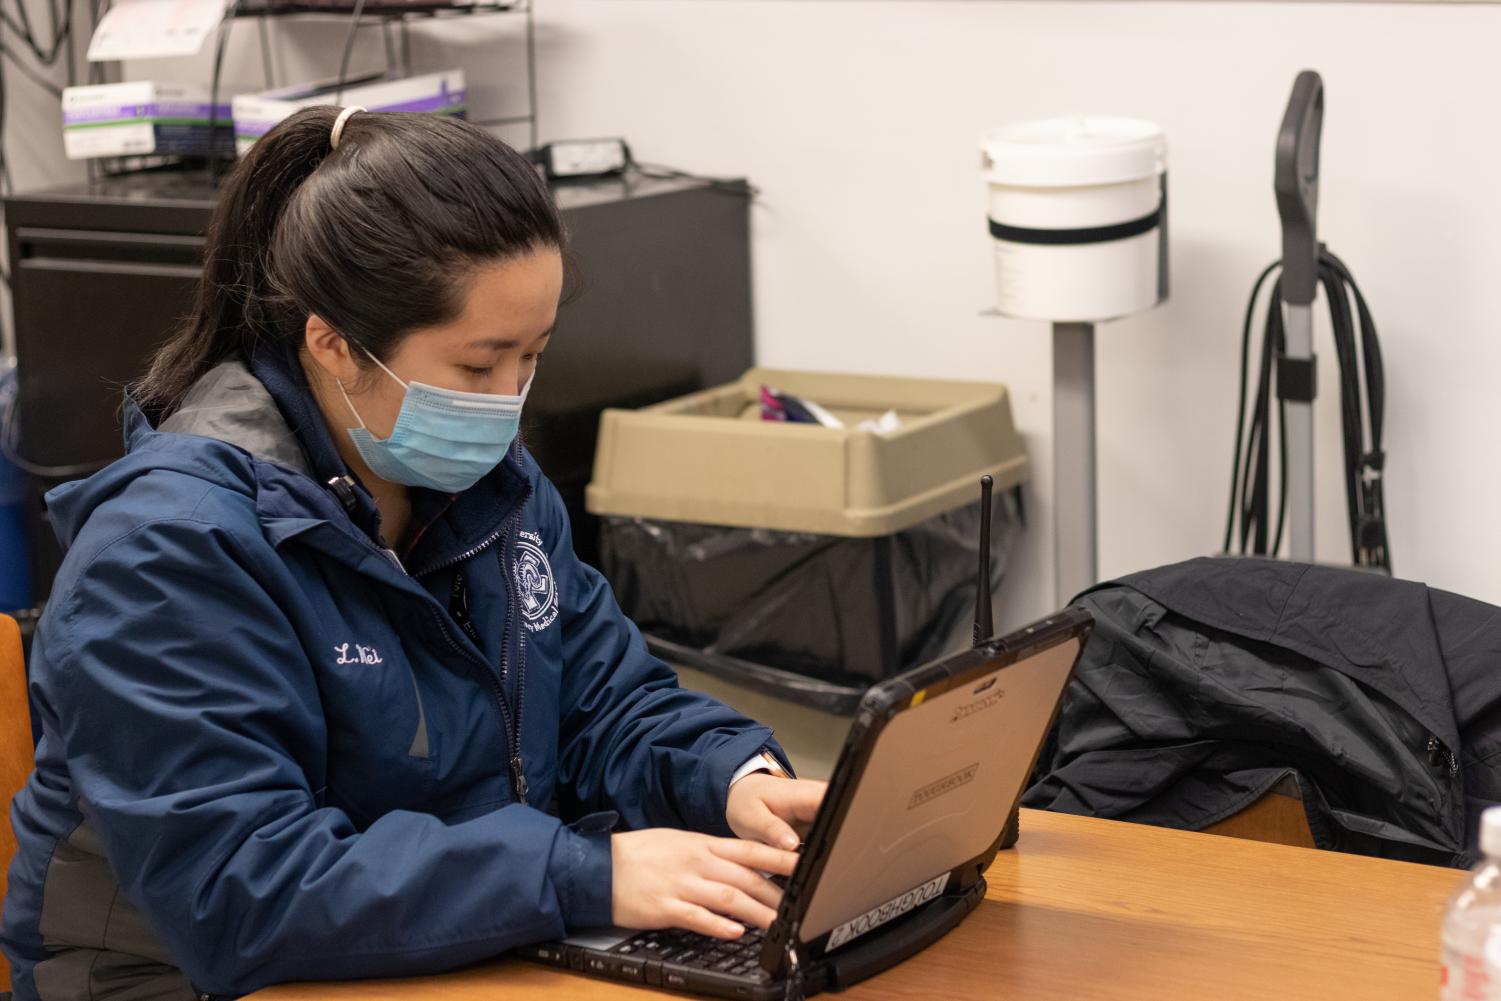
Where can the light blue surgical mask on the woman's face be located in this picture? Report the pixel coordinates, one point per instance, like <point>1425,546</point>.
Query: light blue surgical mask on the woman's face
<point>445,440</point>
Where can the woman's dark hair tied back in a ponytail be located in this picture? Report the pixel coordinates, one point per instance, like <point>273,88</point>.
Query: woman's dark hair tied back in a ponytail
<point>378,238</point>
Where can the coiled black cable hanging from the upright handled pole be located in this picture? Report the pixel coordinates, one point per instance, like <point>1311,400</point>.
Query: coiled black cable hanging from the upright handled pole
<point>1362,409</point>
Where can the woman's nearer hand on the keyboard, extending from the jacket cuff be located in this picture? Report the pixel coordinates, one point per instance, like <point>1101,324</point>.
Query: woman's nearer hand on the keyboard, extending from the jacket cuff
<point>670,879</point>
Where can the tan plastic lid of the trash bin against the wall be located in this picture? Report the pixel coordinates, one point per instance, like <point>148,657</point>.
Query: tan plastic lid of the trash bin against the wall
<point>711,460</point>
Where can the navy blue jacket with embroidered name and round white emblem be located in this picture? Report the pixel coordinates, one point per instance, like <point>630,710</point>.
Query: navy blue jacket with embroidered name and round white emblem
<point>272,751</point>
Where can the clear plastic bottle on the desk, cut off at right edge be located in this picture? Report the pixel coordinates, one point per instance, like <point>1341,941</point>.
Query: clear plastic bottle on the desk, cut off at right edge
<point>1473,925</point>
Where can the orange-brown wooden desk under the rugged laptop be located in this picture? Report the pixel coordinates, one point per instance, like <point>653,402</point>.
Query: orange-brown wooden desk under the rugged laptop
<point>1102,910</point>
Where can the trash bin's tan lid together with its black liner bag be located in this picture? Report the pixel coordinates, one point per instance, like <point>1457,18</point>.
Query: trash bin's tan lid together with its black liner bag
<point>802,561</point>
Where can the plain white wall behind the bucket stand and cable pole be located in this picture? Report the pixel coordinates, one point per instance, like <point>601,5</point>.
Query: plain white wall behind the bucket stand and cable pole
<point>859,121</point>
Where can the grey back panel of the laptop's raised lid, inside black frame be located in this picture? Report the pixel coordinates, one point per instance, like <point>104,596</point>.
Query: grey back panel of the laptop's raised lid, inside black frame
<point>936,793</point>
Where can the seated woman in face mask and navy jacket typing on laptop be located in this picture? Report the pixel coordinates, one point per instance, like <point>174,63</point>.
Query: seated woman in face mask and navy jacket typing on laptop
<point>325,691</point>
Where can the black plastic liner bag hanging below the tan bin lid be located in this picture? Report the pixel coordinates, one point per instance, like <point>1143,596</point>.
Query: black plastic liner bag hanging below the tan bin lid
<point>844,612</point>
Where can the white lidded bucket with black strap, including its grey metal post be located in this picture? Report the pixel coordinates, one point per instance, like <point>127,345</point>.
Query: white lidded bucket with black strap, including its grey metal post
<point>1078,215</point>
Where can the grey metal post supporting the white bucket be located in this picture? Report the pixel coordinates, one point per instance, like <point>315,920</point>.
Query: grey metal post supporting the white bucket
<point>1075,528</point>
